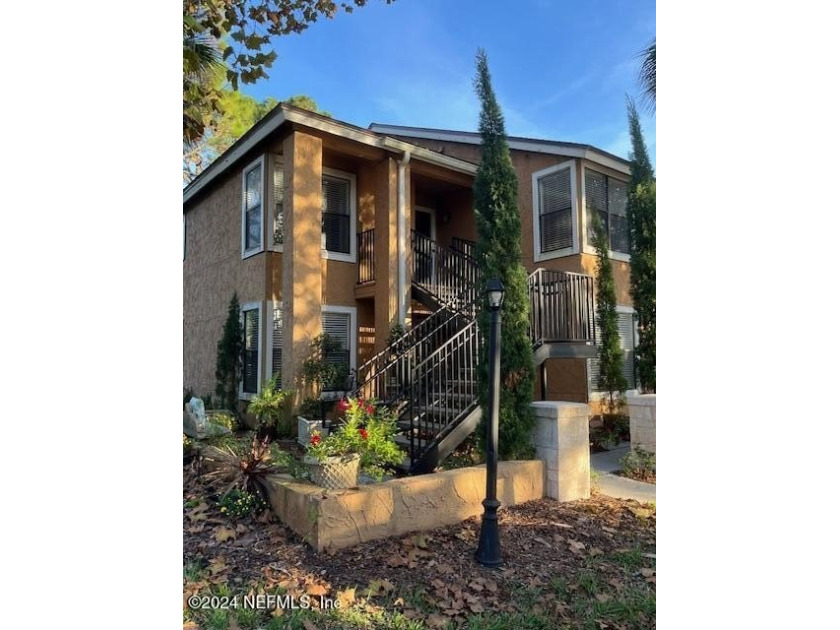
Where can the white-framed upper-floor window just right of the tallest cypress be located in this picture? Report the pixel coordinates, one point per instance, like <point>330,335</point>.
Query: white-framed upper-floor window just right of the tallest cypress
<point>555,225</point>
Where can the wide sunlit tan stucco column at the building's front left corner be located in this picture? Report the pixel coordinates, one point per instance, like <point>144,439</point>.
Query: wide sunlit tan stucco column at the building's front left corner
<point>301,252</point>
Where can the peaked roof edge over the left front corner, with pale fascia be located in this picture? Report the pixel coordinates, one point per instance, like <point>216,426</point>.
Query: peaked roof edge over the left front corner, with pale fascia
<point>286,113</point>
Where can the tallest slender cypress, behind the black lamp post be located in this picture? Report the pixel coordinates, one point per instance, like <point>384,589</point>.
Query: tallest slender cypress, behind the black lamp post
<point>499,254</point>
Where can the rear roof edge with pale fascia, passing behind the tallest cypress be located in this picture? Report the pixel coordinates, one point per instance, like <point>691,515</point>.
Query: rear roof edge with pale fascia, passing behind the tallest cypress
<point>566,149</point>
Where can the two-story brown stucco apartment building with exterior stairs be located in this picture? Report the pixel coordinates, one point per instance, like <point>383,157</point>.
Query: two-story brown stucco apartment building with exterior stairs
<point>321,226</point>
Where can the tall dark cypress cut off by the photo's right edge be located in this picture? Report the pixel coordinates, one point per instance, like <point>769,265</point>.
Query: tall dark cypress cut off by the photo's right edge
<point>641,216</point>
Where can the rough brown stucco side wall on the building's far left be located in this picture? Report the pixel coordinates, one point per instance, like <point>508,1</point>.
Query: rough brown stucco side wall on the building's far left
<point>213,271</point>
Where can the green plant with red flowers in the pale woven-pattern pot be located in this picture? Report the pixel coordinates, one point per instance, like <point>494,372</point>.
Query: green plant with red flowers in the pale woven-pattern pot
<point>367,431</point>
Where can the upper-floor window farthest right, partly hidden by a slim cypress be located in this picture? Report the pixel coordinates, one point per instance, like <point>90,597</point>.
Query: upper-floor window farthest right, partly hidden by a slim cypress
<point>607,197</point>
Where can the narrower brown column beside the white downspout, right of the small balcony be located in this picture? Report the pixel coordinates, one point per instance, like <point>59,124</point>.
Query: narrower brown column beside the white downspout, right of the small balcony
<point>387,261</point>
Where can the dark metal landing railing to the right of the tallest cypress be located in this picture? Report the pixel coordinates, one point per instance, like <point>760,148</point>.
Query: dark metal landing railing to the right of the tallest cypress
<point>562,307</point>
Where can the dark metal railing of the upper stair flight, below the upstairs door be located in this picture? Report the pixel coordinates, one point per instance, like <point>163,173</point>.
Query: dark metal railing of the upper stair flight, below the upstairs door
<point>450,276</point>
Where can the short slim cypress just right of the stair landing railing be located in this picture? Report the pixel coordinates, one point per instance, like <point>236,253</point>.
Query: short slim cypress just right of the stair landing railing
<point>610,379</point>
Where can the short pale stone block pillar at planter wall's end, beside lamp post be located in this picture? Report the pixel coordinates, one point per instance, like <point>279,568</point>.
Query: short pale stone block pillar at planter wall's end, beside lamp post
<point>561,437</point>
